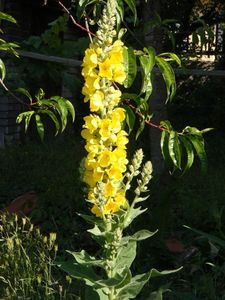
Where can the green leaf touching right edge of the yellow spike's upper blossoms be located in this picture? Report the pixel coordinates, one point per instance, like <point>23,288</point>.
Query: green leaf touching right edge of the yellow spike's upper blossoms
<point>130,65</point>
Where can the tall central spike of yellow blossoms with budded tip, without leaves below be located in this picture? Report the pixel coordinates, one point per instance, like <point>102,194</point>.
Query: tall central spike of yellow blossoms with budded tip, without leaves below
<point>103,131</point>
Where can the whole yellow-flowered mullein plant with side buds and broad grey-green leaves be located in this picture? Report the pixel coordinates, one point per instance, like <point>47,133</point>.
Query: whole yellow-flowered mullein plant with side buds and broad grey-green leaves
<point>108,175</point>
